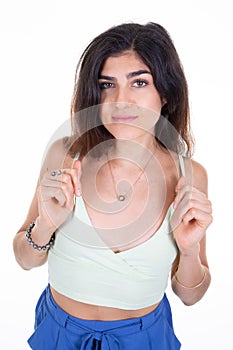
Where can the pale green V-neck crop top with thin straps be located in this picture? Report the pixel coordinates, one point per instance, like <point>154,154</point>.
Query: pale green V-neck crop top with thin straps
<point>92,273</point>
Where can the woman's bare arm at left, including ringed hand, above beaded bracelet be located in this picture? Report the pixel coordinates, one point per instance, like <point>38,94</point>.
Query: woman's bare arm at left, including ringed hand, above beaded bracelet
<point>52,202</point>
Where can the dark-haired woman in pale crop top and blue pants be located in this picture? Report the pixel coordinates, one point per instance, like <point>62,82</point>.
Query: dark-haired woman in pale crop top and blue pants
<point>119,204</point>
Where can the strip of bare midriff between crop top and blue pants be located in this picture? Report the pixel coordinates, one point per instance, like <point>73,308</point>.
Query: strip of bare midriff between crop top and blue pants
<point>95,312</point>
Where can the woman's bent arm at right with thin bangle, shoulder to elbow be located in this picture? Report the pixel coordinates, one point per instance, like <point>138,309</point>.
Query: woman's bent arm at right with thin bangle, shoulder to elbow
<point>192,215</point>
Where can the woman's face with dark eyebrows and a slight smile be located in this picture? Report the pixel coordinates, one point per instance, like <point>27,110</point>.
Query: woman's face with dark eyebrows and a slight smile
<point>131,105</point>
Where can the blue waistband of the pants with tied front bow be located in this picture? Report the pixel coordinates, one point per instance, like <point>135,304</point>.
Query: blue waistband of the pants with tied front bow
<point>99,328</point>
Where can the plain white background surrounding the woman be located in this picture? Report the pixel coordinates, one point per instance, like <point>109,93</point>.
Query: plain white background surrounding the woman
<point>41,42</point>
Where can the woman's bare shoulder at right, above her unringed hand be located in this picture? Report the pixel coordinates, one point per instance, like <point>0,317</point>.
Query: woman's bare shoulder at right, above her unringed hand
<point>197,174</point>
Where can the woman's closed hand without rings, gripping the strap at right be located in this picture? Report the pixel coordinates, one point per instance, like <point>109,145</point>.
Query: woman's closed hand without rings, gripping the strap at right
<point>191,217</point>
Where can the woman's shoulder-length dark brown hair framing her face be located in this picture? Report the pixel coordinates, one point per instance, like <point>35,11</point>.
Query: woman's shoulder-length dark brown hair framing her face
<point>152,43</point>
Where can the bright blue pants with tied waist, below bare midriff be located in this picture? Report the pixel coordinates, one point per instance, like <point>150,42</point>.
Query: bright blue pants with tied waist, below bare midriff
<point>57,330</point>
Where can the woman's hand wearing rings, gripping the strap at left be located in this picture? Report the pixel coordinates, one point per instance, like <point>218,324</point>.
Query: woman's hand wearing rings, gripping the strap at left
<point>55,195</point>
